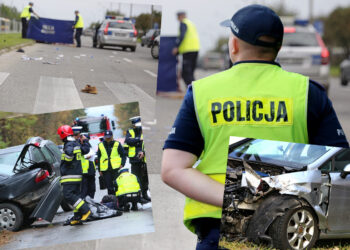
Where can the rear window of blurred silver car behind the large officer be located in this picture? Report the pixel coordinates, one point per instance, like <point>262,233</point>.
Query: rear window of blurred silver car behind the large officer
<point>307,39</point>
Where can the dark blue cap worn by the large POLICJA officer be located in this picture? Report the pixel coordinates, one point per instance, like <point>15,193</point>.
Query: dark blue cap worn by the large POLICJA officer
<point>254,21</point>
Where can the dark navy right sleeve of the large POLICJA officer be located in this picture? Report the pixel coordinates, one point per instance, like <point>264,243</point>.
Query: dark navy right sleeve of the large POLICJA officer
<point>322,121</point>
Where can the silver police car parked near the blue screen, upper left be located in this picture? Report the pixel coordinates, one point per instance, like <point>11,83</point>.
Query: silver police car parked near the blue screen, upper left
<point>114,32</point>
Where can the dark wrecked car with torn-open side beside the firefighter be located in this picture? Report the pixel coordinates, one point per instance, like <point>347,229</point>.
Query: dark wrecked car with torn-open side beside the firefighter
<point>29,183</point>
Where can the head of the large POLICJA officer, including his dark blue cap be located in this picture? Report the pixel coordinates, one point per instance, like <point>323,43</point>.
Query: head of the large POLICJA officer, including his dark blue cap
<point>256,34</point>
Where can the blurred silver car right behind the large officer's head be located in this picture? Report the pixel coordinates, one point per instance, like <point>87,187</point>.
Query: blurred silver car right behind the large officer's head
<point>303,51</point>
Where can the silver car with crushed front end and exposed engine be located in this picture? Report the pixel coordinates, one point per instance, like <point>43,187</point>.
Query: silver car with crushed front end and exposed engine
<point>286,195</point>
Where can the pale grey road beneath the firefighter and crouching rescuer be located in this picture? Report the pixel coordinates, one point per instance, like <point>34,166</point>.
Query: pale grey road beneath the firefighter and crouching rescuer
<point>46,234</point>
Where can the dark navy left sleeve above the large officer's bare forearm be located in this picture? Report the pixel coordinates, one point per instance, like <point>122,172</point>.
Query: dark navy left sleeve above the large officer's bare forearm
<point>185,134</point>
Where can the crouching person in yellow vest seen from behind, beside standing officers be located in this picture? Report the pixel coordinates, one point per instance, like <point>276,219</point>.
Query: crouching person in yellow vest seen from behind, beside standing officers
<point>127,190</point>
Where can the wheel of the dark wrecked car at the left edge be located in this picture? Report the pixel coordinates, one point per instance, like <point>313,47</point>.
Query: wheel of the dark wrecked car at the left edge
<point>11,217</point>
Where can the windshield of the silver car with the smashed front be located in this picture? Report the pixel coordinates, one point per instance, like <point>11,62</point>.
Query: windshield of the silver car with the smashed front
<point>293,155</point>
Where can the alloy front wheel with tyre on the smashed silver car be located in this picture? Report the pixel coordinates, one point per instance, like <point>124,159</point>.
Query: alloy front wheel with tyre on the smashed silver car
<point>296,229</point>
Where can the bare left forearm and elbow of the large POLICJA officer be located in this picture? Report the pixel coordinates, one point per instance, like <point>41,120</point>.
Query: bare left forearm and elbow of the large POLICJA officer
<point>177,172</point>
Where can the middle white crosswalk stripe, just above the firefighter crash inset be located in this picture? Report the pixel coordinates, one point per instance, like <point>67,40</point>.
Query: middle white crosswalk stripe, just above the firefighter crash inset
<point>56,94</point>
